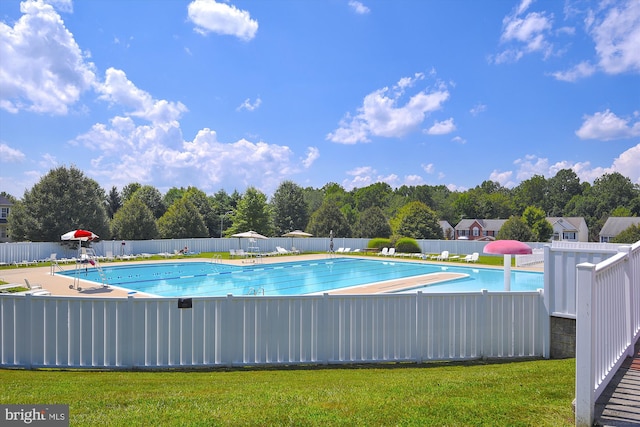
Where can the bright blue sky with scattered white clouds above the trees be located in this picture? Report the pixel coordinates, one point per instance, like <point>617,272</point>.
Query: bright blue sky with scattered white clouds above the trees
<point>226,95</point>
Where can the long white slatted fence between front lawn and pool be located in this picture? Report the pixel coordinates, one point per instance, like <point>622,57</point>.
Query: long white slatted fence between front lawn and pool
<point>115,333</point>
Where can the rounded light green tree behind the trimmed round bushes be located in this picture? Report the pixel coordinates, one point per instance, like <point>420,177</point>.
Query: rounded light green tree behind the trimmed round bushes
<point>418,221</point>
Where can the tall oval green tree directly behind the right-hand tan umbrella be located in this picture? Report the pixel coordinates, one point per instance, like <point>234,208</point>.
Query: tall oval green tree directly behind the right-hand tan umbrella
<point>289,208</point>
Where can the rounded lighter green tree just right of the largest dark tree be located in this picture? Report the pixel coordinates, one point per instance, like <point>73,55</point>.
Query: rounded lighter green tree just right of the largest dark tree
<point>134,221</point>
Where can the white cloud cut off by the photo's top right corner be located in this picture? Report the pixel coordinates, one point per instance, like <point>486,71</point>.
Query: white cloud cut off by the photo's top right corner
<point>616,33</point>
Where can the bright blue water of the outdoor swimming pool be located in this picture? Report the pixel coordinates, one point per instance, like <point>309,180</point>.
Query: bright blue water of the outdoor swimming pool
<point>182,279</point>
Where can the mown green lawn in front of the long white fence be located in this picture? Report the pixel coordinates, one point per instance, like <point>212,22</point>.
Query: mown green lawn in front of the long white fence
<point>522,393</point>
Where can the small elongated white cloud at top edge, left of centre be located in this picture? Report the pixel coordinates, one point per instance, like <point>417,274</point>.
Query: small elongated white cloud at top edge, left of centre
<point>221,18</point>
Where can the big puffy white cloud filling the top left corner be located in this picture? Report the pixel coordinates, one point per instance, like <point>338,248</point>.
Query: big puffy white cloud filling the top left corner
<point>42,67</point>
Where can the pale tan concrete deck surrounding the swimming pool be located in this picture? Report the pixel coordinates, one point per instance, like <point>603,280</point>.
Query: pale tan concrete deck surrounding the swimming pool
<point>59,285</point>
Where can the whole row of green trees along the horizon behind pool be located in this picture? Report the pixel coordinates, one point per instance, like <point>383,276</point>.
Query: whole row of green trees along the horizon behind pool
<point>65,199</point>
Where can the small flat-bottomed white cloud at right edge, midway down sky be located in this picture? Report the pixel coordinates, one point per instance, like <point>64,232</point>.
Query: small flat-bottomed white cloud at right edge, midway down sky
<point>607,126</point>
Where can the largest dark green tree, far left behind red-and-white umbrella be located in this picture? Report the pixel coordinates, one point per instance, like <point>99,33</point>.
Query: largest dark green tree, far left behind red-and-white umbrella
<point>63,200</point>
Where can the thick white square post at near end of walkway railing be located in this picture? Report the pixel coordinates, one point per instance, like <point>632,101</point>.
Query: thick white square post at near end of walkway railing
<point>585,350</point>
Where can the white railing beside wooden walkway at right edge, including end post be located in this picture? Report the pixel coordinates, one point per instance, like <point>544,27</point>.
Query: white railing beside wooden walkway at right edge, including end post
<point>607,324</point>
